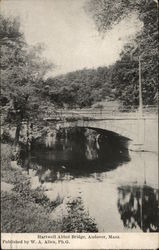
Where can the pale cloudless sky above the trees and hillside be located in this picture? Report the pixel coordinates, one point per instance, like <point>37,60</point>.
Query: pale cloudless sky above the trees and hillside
<point>69,35</point>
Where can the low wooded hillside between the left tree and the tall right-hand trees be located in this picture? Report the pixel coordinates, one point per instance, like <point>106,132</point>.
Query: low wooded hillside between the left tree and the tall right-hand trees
<point>80,88</point>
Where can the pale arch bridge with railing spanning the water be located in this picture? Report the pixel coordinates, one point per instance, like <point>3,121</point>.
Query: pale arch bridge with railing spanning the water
<point>142,131</point>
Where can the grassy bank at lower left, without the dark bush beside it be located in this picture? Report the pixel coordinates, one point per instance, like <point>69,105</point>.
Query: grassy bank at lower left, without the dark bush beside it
<point>23,209</point>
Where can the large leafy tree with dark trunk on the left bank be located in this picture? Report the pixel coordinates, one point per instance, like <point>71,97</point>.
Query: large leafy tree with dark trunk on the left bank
<point>22,73</point>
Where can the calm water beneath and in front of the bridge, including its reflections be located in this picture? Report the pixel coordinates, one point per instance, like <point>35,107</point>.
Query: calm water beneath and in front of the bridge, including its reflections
<point>118,188</point>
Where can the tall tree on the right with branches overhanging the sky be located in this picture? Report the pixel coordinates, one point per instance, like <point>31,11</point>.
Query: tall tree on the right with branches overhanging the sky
<point>106,14</point>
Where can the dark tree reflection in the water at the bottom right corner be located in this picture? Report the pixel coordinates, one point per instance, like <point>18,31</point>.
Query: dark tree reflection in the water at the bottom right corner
<point>138,206</point>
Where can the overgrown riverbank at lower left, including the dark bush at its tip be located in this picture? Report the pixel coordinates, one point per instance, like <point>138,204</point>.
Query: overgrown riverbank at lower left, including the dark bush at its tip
<point>27,210</point>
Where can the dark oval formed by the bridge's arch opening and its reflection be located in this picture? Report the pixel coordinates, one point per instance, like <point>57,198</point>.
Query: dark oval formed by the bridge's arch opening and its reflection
<point>78,151</point>
